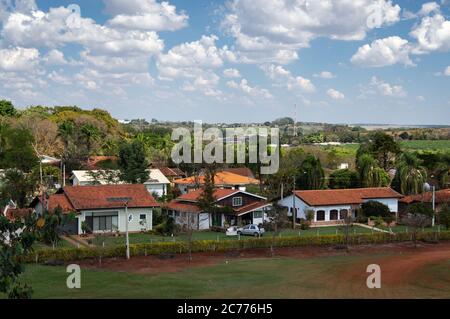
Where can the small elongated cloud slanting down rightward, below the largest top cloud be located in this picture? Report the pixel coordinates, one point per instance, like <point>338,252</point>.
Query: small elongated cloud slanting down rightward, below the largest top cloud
<point>283,77</point>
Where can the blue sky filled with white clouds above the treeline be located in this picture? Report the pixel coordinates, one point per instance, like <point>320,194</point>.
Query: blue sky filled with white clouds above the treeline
<point>335,61</point>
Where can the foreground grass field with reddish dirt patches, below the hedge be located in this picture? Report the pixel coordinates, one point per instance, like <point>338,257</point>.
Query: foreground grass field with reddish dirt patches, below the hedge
<point>316,277</point>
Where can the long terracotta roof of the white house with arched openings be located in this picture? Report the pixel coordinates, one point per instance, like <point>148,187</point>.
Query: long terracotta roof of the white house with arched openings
<point>345,196</point>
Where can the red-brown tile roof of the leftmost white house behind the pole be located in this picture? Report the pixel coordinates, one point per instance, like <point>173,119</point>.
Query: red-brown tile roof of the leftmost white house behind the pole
<point>101,196</point>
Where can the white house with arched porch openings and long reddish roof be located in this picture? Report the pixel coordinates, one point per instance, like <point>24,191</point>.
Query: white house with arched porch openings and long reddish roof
<point>331,205</point>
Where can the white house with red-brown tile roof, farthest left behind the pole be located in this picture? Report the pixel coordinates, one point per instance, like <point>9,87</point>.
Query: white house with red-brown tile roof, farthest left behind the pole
<point>102,207</point>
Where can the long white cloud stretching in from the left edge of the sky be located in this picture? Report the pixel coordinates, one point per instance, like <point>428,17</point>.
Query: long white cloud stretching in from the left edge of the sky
<point>52,29</point>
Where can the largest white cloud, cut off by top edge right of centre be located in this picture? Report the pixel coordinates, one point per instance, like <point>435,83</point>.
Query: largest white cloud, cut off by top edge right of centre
<point>273,31</point>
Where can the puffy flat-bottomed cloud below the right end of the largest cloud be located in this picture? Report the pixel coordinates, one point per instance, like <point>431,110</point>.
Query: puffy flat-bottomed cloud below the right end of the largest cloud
<point>383,52</point>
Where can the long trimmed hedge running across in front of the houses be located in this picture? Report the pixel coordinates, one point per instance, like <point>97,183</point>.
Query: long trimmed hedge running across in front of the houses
<point>71,254</point>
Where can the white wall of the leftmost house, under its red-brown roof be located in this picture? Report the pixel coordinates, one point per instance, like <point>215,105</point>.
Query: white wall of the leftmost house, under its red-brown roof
<point>133,226</point>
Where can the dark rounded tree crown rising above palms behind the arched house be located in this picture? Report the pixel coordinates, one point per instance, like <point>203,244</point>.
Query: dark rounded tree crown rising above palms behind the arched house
<point>384,149</point>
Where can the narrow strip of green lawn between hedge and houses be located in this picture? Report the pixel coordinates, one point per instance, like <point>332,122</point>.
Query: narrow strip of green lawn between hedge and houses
<point>209,235</point>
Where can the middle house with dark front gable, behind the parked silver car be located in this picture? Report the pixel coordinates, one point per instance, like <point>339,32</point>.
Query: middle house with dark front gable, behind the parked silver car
<point>235,207</point>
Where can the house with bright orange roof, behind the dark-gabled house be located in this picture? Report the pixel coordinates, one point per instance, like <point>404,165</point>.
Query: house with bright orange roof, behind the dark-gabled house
<point>221,180</point>
